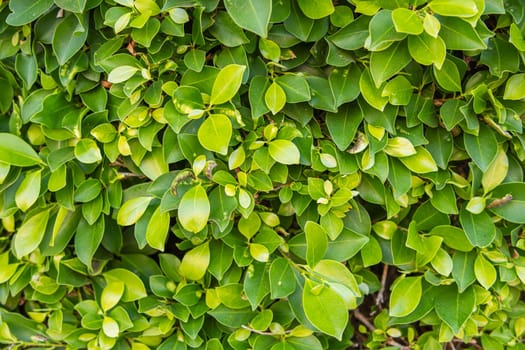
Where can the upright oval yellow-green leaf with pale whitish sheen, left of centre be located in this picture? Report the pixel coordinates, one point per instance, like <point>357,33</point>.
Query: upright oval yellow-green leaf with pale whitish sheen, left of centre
<point>194,209</point>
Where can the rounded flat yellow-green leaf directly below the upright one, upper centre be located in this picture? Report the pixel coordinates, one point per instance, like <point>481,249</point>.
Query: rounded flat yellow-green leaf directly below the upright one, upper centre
<point>215,133</point>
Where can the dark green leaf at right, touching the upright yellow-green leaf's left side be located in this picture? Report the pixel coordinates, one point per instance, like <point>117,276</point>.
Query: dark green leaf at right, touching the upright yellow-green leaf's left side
<point>482,148</point>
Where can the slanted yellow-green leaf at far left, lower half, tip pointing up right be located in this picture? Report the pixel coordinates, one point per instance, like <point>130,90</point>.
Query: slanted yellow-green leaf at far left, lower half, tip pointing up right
<point>30,234</point>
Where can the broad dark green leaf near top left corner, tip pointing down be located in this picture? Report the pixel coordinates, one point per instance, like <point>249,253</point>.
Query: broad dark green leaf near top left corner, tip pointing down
<point>69,38</point>
